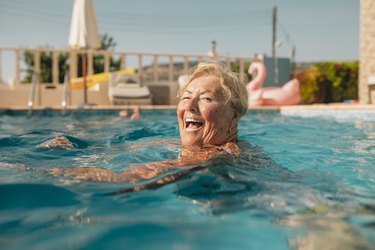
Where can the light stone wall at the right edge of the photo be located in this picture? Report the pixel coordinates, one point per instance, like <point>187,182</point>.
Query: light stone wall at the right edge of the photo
<point>367,51</point>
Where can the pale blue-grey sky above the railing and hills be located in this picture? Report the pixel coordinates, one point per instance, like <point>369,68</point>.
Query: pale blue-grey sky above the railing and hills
<point>320,30</point>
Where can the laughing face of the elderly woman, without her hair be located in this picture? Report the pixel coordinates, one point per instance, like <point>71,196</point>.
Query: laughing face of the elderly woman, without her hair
<point>203,116</point>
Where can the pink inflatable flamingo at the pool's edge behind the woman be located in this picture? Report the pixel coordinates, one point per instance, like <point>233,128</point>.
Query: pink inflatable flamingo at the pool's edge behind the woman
<point>288,94</point>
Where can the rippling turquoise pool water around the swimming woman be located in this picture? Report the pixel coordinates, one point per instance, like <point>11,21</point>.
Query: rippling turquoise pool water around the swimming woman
<point>301,182</point>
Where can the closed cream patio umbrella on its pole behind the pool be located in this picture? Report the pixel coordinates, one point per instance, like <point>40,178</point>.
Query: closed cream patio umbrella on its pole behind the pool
<point>84,33</point>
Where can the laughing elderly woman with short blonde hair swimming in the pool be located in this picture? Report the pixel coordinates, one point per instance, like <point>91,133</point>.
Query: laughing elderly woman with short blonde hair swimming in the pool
<point>211,104</point>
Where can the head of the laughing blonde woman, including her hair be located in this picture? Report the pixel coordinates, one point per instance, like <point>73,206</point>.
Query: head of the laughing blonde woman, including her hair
<point>211,104</point>
